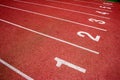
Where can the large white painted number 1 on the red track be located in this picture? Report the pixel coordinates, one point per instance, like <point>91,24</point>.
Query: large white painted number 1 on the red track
<point>61,61</point>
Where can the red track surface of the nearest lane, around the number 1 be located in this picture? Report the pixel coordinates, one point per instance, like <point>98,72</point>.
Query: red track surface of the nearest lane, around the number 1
<point>24,48</point>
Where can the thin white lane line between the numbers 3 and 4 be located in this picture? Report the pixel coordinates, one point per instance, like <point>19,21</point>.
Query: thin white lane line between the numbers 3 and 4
<point>62,9</point>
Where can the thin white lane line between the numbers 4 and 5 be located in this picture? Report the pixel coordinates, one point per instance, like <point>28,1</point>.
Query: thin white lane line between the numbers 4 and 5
<point>78,5</point>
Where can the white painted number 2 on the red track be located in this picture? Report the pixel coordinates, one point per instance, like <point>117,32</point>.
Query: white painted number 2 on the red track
<point>82,34</point>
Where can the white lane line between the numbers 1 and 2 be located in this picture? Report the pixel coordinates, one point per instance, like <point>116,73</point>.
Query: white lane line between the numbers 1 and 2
<point>48,36</point>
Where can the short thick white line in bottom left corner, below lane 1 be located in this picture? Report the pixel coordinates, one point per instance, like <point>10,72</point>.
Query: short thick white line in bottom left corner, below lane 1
<point>16,70</point>
